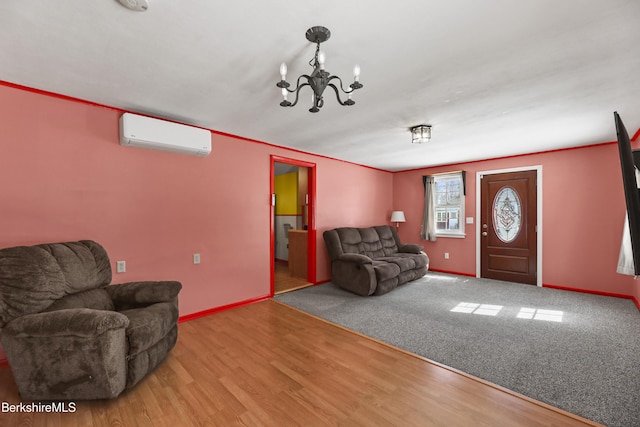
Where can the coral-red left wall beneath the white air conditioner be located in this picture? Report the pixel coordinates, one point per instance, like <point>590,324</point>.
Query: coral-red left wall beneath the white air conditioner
<point>65,177</point>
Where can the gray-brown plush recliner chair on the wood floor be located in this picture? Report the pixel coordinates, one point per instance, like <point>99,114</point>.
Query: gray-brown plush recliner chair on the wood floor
<point>68,334</point>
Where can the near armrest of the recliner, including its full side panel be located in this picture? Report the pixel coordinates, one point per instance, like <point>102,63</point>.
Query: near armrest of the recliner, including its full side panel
<point>68,354</point>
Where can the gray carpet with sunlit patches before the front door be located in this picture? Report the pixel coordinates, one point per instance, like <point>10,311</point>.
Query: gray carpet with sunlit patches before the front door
<point>588,363</point>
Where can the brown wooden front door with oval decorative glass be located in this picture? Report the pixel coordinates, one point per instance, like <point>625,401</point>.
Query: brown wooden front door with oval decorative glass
<point>508,248</point>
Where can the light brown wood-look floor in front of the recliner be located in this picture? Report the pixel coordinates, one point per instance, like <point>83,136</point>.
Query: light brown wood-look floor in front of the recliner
<point>266,364</point>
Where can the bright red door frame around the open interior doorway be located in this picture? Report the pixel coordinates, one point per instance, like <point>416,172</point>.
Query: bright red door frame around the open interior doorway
<point>311,212</point>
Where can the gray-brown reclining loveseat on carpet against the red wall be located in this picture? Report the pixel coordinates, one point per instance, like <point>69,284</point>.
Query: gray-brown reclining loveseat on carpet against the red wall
<point>372,261</point>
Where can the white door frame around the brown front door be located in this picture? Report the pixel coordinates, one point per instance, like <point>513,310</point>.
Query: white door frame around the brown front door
<point>479,174</point>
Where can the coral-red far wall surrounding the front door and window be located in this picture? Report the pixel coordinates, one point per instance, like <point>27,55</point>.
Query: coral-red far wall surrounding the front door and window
<point>583,214</point>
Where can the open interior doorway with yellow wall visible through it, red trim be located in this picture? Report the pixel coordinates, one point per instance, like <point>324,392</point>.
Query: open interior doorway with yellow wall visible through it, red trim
<point>293,234</point>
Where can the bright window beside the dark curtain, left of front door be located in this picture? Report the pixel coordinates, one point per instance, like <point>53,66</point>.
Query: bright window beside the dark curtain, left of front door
<point>449,204</point>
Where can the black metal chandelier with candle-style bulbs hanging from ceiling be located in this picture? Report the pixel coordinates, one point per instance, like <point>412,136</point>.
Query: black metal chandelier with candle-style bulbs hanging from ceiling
<point>319,79</point>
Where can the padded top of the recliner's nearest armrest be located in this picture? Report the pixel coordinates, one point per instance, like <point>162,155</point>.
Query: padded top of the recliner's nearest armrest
<point>83,322</point>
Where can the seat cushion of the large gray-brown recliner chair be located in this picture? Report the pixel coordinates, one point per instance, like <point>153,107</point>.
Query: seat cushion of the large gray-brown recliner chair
<point>149,325</point>
